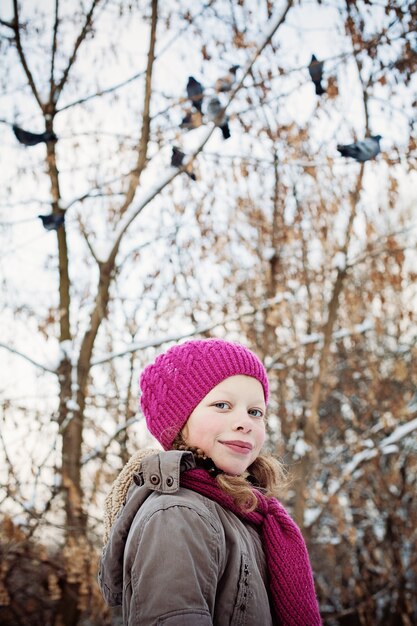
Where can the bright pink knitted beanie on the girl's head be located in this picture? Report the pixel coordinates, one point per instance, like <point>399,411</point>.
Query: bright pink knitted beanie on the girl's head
<point>180,378</point>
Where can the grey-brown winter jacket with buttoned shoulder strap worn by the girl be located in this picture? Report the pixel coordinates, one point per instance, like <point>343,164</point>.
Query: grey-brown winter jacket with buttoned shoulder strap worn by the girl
<point>176,558</point>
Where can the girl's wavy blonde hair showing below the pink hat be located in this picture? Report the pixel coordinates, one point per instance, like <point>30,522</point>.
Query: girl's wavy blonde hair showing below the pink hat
<point>266,474</point>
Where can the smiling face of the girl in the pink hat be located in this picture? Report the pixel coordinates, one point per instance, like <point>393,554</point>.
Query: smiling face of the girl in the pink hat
<point>229,423</point>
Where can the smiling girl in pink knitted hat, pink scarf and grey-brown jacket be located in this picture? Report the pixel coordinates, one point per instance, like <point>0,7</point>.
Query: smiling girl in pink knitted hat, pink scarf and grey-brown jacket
<point>194,534</point>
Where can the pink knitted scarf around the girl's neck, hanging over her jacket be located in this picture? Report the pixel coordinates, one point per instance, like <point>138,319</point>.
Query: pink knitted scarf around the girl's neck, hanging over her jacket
<point>291,580</point>
